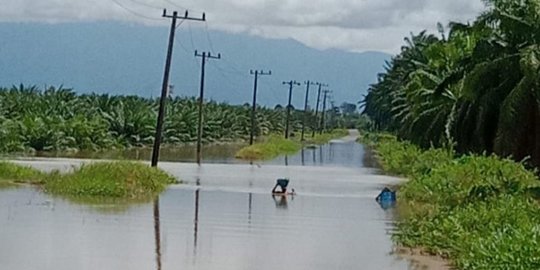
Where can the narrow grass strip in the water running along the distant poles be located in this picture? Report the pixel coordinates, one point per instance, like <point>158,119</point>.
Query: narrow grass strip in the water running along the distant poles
<point>276,145</point>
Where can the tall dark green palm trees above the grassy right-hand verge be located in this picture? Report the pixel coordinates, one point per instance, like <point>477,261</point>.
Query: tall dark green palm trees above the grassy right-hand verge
<point>478,88</point>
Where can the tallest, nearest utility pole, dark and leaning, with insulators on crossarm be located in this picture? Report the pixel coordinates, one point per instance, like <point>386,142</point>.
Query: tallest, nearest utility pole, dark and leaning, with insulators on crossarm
<point>161,112</point>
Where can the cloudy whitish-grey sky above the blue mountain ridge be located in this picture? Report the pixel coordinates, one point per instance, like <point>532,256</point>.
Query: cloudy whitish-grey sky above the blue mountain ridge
<point>350,25</point>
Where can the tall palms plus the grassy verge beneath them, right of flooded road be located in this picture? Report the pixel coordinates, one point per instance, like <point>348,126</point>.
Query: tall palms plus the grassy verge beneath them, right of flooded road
<point>465,105</point>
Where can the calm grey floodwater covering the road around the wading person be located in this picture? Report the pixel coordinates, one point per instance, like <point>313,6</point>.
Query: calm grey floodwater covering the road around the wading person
<point>223,217</point>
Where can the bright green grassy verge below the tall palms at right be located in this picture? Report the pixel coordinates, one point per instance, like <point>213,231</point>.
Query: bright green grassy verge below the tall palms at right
<point>481,212</point>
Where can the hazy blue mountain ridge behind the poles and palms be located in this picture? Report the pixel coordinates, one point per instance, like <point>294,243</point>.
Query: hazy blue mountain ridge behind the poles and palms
<point>120,58</point>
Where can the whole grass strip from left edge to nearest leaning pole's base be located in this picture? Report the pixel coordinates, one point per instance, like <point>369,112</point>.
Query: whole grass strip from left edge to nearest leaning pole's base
<point>126,180</point>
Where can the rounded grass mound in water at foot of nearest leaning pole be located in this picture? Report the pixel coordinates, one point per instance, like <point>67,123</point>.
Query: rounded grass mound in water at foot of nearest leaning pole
<point>129,180</point>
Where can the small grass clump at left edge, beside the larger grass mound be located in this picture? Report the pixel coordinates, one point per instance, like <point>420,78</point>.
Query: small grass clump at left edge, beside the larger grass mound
<point>14,173</point>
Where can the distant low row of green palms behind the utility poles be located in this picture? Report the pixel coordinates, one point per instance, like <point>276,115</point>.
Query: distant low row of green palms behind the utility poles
<point>58,119</point>
